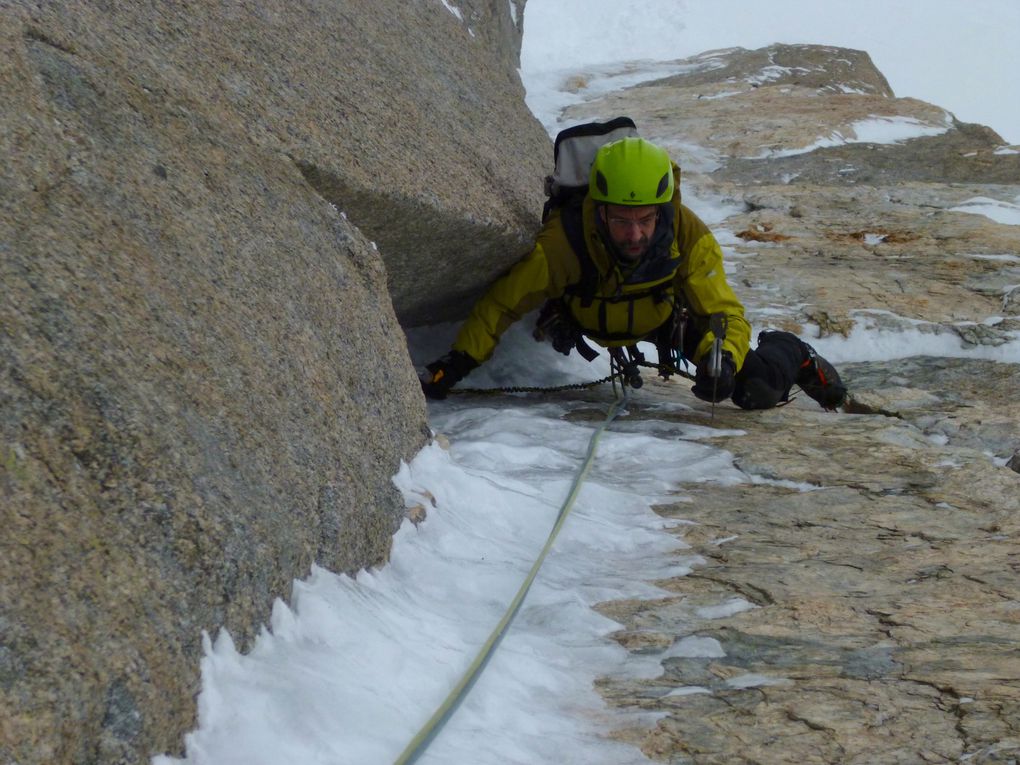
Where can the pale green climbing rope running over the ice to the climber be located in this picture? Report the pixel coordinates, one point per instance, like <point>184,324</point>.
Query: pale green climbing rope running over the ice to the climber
<point>446,710</point>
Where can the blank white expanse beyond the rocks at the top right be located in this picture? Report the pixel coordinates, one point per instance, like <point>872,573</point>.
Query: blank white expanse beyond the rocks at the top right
<point>962,56</point>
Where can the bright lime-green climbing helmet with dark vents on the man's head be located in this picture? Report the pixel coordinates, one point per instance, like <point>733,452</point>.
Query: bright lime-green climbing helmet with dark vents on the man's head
<point>632,172</point>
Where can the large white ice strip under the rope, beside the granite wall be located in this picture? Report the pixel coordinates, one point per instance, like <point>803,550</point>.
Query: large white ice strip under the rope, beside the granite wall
<point>351,670</point>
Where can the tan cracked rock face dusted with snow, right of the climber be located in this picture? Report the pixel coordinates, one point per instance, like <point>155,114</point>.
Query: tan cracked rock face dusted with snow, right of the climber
<point>858,599</point>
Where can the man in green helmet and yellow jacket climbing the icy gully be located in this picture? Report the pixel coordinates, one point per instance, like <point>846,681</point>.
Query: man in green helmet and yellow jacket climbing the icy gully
<point>629,263</point>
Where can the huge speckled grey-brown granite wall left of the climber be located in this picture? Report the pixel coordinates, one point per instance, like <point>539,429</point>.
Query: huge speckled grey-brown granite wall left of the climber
<point>205,386</point>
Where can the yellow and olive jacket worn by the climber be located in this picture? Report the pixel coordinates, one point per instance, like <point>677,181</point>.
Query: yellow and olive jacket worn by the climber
<point>614,319</point>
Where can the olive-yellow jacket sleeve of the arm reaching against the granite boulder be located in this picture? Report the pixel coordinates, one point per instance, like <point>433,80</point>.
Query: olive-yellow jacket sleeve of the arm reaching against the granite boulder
<point>543,274</point>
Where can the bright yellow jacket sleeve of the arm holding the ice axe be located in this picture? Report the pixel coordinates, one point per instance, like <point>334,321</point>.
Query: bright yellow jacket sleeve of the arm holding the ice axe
<point>705,286</point>
